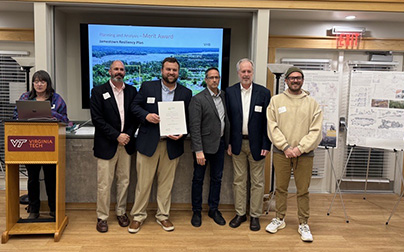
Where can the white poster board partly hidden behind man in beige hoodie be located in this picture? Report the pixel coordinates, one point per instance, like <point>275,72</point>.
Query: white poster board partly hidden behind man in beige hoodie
<point>324,86</point>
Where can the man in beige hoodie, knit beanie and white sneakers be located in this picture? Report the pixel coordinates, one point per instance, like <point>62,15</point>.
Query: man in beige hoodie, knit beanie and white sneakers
<point>294,127</point>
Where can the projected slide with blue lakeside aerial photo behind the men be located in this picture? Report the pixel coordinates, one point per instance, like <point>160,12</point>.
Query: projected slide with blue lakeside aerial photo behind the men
<point>142,49</point>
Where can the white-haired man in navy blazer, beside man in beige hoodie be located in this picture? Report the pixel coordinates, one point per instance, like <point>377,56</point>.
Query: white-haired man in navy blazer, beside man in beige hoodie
<point>249,142</point>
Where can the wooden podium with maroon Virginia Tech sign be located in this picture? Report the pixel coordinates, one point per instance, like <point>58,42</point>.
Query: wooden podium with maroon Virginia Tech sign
<point>34,142</point>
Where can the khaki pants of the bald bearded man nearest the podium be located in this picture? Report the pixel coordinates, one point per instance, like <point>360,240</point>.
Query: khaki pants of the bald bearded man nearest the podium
<point>118,165</point>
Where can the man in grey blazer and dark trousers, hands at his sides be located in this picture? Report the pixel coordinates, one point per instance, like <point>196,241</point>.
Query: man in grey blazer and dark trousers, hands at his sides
<point>209,127</point>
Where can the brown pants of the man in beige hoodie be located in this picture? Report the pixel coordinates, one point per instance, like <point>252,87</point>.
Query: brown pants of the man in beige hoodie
<point>302,169</point>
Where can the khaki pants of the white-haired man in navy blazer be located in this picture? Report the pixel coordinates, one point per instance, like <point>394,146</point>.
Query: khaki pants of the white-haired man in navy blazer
<point>240,173</point>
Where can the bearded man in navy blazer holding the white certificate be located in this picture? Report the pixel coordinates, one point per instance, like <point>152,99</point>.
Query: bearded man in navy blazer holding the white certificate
<point>157,155</point>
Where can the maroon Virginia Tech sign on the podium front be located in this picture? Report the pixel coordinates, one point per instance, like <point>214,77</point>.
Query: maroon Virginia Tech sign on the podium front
<point>31,143</point>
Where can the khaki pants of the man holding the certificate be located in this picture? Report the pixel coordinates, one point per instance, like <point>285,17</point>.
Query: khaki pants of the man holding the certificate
<point>147,167</point>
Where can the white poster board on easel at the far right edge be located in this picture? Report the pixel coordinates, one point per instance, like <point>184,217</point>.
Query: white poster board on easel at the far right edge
<point>376,110</point>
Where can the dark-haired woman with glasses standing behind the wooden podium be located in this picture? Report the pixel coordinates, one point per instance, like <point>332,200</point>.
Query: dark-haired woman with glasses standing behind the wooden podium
<point>41,90</point>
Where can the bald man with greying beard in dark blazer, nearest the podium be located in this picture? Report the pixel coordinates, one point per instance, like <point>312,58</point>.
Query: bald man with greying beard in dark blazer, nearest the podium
<point>114,142</point>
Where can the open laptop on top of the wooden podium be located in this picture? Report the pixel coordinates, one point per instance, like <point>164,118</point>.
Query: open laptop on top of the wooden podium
<point>34,110</point>
